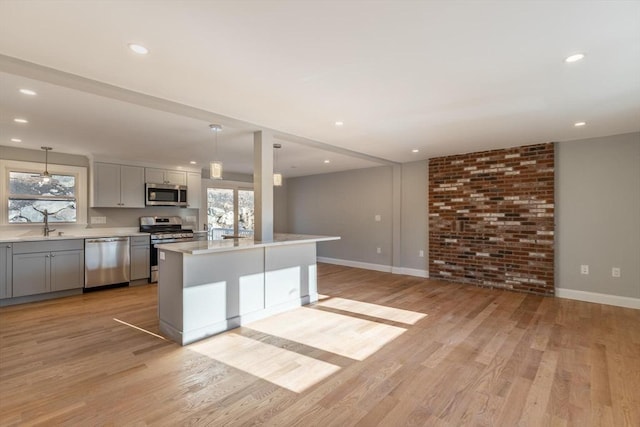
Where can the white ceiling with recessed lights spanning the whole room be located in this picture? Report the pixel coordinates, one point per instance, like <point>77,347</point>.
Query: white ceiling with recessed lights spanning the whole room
<point>444,77</point>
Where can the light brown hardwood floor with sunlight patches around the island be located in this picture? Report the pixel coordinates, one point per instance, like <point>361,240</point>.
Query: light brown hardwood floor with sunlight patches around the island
<point>380,349</point>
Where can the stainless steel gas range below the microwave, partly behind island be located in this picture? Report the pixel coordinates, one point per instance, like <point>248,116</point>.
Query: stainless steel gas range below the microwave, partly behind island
<point>163,229</point>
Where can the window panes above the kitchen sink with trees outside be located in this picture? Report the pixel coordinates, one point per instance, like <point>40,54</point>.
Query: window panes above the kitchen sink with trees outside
<point>29,197</point>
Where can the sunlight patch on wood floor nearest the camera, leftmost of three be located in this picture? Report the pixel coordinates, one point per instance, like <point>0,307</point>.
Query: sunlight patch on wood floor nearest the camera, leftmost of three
<point>284,368</point>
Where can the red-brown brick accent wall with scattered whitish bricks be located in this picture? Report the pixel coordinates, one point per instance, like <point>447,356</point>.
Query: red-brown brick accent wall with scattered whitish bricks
<point>491,218</point>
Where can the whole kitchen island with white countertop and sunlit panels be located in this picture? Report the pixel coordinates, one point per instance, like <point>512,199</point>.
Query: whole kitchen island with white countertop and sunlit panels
<point>207,287</point>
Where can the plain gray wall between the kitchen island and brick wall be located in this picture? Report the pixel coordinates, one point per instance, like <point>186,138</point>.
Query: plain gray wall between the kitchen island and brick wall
<point>346,203</point>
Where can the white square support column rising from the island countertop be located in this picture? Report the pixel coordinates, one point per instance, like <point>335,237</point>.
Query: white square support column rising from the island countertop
<point>263,185</point>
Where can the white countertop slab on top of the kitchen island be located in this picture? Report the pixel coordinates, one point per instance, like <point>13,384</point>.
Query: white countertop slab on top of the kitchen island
<point>211,246</point>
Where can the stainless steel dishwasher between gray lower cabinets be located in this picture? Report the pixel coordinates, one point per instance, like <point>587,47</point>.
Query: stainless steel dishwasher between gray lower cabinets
<point>106,261</point>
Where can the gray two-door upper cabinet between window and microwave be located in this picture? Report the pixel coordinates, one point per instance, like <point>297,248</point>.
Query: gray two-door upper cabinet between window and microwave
<point>117,186</point>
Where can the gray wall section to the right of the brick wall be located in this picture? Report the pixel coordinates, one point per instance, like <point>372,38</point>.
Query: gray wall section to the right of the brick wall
<point>598,214</point>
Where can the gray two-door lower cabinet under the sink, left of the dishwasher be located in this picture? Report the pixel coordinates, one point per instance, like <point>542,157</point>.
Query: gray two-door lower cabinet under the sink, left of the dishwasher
<point>46,266</point>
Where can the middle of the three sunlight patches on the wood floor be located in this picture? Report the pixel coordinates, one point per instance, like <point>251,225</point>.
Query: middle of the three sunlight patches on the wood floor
<point>336,333</point>
